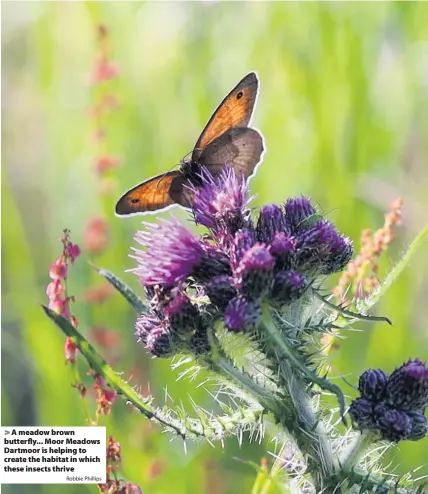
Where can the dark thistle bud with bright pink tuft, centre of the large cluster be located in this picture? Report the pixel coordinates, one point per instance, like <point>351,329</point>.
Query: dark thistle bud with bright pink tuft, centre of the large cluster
<point>255,271</point>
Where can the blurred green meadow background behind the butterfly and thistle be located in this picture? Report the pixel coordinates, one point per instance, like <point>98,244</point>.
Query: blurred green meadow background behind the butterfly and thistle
<point>344,111</point>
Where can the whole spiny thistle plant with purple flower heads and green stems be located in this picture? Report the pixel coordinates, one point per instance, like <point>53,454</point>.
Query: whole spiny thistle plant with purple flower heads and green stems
<point>245,302</point>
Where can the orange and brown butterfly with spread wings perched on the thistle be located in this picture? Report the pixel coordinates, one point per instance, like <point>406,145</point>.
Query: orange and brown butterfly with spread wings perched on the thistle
<point>226,139</point>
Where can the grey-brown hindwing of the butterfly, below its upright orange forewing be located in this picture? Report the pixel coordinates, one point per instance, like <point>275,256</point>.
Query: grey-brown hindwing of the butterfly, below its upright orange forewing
<point>240,148</point>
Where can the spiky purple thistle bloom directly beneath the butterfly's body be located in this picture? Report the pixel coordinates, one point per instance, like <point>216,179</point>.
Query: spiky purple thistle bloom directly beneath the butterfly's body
<point>221,203</point>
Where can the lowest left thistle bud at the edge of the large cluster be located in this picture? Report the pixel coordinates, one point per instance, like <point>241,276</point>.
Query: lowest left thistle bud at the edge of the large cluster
<point>153,333</point>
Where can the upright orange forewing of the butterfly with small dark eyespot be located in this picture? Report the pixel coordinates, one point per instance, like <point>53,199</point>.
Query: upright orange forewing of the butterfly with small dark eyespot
<point>235,110</point>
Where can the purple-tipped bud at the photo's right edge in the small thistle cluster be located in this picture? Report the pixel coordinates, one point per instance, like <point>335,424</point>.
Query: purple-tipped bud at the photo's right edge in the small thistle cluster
<point>408,386</point>
